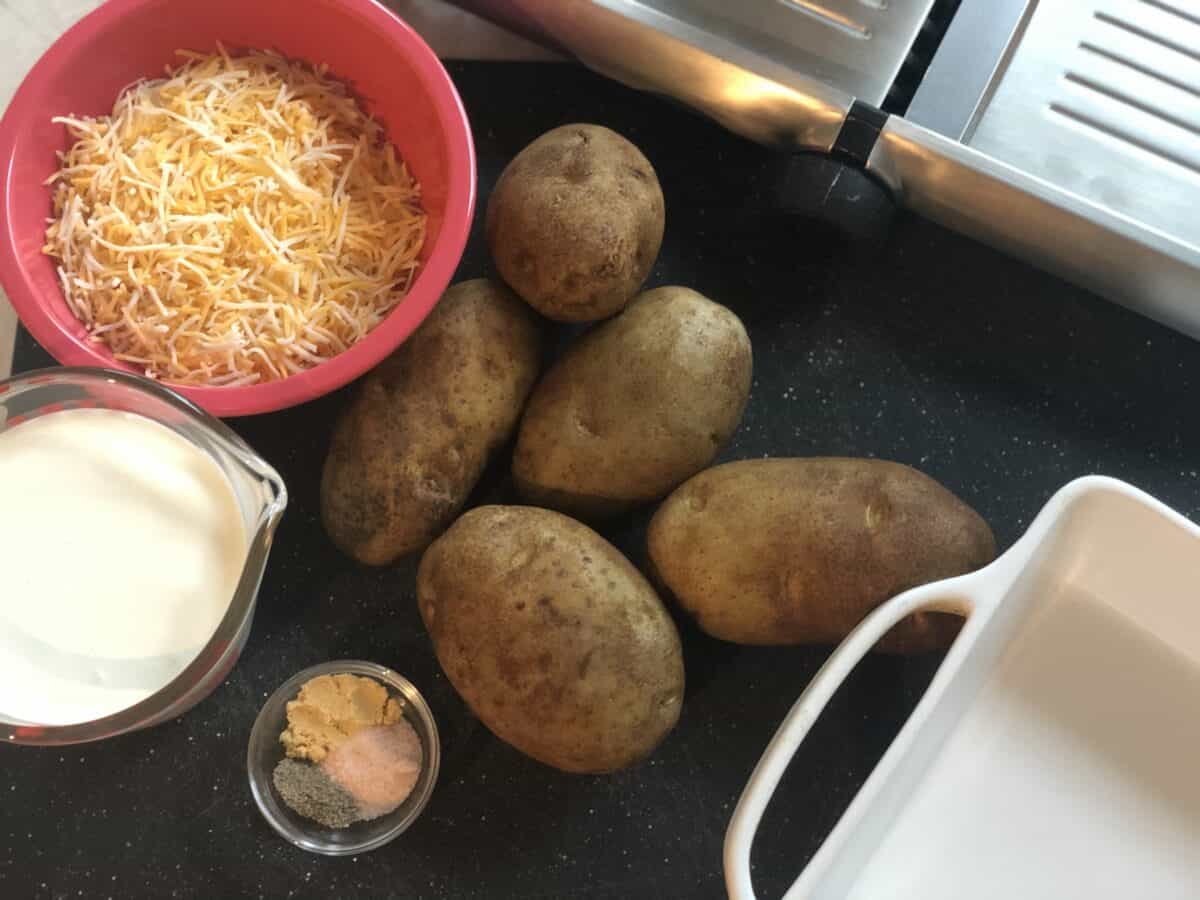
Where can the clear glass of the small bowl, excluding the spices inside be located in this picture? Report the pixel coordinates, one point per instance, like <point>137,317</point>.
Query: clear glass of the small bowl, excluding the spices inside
<point>266,753</point>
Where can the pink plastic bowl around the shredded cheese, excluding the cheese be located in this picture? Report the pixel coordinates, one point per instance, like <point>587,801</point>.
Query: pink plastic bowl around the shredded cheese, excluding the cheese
<point>388,65</point>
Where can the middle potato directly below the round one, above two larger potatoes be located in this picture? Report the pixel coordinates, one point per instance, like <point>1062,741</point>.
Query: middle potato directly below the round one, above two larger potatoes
<point>635,407</point>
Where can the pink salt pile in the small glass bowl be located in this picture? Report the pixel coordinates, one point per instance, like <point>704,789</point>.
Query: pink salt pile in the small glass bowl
<point>379,766</point>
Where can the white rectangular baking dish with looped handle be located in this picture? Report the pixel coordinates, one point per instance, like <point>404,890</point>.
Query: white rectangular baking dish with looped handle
<point>1057,753</point>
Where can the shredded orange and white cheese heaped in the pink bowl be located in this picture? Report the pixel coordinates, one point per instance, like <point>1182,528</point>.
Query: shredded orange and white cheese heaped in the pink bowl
<point>236,223</point>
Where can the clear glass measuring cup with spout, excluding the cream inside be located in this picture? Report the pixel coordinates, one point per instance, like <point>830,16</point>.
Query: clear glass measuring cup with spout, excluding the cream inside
<point>262,499</point>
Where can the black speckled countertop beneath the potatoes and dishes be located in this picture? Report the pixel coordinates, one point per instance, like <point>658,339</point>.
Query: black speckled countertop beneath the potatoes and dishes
<point>999,381</point>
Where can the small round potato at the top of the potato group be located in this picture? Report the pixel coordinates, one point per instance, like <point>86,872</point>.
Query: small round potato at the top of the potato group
<point>575,223</point>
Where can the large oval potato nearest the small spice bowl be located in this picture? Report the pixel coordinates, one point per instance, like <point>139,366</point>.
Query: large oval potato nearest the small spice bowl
<point>553,638</point>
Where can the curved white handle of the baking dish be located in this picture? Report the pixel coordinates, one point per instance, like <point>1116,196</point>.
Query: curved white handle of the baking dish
<point>800,721</point>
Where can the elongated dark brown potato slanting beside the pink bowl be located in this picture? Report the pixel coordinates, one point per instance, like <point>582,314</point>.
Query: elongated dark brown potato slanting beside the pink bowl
<point>423,424</point>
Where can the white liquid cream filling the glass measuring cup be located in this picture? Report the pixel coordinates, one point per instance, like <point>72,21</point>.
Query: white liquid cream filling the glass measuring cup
<point>122,544</point>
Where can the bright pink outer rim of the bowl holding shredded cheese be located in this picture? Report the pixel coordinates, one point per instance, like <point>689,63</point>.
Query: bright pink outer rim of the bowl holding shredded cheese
<point>251,400</point>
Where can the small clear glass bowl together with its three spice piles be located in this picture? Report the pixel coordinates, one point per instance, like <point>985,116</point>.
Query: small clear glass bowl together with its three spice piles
<point>344,758</point>
